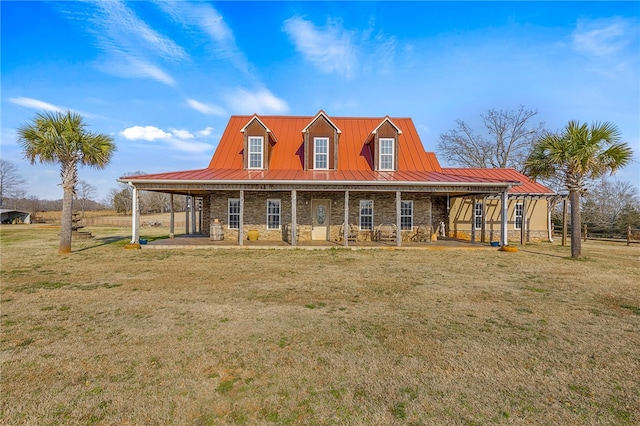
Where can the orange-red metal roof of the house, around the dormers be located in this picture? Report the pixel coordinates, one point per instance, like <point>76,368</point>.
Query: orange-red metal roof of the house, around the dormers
<point>354,158</point>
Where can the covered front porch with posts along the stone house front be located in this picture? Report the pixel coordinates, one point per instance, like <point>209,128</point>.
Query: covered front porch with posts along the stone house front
<point>316,215</point>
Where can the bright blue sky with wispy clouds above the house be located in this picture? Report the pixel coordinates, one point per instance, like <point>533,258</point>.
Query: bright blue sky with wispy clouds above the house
<point>163,77</point>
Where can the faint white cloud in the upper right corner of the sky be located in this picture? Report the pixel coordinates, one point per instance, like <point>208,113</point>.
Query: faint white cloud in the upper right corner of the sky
<point>602,37</point>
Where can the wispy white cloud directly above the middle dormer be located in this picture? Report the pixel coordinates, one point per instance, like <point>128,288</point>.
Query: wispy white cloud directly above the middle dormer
<point>331,48</point>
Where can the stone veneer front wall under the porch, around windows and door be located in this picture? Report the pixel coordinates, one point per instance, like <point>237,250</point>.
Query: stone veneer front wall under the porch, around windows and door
<point>255,212</point>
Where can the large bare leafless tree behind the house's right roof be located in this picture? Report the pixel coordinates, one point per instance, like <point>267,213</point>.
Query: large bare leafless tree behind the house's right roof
<point>507,140</point>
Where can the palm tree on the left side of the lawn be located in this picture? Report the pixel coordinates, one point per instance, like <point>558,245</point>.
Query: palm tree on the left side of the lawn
<point>62,138</point>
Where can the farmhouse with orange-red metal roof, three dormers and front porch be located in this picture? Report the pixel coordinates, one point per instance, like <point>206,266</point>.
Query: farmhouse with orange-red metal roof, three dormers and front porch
<point>345,179</point>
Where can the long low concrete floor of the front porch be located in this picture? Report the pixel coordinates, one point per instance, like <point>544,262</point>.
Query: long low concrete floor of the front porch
<point>199,241</point>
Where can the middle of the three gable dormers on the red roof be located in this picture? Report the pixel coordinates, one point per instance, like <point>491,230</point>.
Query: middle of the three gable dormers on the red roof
<point>321,138</point>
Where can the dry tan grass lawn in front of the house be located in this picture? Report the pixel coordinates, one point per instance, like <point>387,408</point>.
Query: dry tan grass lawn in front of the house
<point>198,337</point>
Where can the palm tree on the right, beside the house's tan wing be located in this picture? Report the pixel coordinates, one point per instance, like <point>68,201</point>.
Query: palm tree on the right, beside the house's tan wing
<point>576,154</point>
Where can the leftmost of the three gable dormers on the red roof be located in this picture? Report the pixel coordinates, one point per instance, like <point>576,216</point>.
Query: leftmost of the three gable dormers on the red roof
<point>259,140</point>
